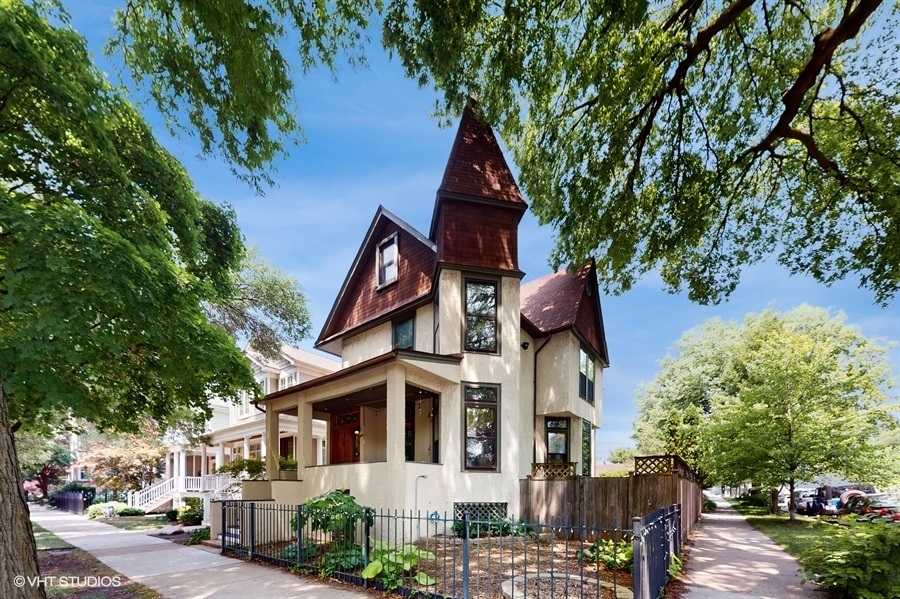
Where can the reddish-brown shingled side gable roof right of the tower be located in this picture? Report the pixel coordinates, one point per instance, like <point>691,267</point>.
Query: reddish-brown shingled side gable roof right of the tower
<point>564,300</point>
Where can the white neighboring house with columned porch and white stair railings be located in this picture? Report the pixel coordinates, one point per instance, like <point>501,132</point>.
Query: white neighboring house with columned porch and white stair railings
<point>237,431</point>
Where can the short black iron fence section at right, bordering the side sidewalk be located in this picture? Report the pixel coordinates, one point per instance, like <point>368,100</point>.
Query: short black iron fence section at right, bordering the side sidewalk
<point>657,550</point>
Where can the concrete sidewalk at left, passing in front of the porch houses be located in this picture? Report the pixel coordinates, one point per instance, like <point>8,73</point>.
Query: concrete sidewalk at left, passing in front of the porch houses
<point>179,571</point>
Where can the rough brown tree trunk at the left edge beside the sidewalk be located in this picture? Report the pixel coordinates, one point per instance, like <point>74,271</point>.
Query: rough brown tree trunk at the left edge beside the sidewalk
<point>19,573</point>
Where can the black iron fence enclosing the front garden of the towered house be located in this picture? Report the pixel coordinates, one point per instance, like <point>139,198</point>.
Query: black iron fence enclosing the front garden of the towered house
<point>439,556</point>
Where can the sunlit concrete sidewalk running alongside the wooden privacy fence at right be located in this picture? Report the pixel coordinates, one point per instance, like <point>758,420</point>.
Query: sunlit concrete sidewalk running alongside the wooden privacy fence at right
<point>732,560</point>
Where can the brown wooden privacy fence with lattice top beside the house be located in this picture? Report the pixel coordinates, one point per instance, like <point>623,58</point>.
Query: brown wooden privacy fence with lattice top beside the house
<point>656,482</point>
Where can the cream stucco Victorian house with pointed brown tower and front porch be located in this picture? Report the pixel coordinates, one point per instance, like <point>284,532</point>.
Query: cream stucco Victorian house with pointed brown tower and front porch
<point>456,380</point>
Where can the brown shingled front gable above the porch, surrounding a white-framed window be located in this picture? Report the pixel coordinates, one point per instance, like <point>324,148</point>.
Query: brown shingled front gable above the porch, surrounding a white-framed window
<point>359,301</point>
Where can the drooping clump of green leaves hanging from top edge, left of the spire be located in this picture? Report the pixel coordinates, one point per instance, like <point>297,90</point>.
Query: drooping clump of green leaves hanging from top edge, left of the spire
<point>222,64</point>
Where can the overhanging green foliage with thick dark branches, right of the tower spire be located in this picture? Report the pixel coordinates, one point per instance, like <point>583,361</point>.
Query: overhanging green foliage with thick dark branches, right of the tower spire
<point>689,137</point>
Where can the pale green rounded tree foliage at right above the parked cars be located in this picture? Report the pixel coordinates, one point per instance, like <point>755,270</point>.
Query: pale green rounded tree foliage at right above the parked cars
<point>778,399</point>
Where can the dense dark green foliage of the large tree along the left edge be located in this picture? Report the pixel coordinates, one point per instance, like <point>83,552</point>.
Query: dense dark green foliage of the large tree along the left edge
<point>106,250</point>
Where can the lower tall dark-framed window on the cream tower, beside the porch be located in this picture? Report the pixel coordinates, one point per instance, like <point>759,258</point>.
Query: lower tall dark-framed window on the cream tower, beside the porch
<point>481,409</point>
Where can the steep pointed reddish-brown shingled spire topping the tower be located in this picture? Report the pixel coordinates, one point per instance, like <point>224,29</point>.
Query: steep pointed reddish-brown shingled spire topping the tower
<point>476,166</point>
